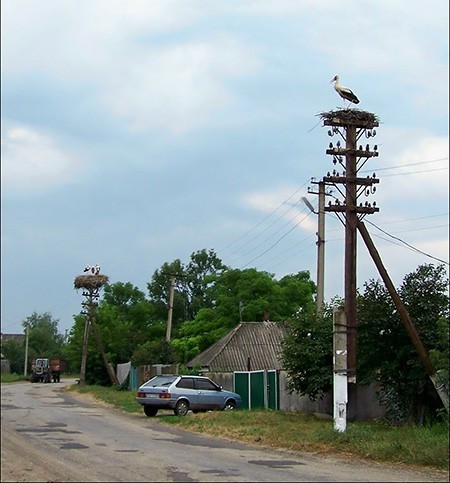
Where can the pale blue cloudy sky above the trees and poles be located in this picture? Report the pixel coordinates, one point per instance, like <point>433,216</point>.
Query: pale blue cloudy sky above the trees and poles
<point>137,133</point>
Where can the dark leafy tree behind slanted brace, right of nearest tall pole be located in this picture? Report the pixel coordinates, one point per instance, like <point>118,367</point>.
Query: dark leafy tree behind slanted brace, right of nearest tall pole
<point>385,351</point>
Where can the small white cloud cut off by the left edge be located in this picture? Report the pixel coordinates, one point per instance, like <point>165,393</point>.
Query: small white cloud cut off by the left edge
<point>33,162</point>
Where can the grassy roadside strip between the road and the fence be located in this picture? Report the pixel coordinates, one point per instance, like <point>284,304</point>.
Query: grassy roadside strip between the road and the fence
<point>412,445</point>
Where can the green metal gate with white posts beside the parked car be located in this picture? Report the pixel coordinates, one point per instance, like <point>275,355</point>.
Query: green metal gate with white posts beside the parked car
<point>258,389</point>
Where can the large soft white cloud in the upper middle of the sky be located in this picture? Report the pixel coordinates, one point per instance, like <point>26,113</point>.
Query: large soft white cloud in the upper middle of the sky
<point>176,87</point>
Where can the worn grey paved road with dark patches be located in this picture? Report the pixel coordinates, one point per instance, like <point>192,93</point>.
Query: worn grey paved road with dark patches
<point>52,435</point>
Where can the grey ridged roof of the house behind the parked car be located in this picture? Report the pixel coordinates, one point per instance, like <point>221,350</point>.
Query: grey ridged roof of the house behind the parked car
<point>249,346</point>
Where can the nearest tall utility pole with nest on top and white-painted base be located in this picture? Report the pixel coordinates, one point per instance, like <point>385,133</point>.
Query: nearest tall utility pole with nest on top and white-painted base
<point>350,125</point>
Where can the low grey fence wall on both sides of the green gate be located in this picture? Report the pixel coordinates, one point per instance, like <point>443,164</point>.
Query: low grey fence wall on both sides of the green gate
<point>363,404</point>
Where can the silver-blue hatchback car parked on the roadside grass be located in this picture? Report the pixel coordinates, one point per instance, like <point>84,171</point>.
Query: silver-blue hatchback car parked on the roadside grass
<point>184,393</point>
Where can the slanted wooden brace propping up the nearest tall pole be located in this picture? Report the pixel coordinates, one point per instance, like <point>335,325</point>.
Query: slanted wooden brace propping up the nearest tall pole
<point>407,322</point>
